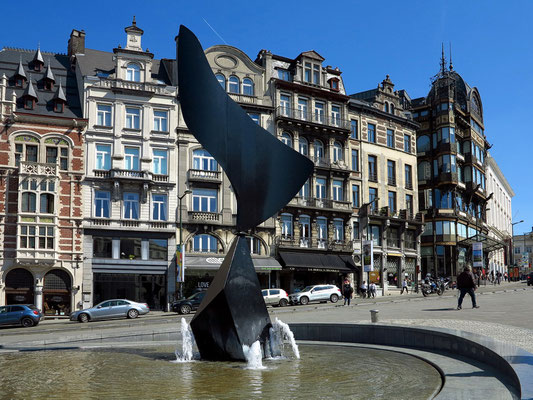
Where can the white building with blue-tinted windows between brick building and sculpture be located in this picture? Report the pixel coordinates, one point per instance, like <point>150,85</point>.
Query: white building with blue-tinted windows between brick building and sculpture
<point>131,169</point>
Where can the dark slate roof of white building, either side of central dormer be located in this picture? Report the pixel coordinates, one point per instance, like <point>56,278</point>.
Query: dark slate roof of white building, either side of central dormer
<point>100,63</point>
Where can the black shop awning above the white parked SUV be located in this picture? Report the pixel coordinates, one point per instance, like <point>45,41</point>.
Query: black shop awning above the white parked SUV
<point>316,262</point>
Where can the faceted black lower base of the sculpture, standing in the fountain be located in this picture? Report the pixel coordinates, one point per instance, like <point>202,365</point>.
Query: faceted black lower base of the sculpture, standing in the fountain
<point>233,312</point>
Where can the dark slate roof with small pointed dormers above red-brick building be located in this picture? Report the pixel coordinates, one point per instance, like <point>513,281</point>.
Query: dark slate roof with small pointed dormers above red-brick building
<point>60,66</point>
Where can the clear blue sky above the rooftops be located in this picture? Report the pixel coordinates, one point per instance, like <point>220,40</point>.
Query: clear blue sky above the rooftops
<point>491,44</point>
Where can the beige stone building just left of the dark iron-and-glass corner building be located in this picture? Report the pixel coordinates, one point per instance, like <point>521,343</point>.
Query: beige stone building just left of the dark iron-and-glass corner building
<point>384,189</point>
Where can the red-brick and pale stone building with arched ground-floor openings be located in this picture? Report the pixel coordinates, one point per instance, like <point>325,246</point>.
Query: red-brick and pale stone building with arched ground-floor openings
<point>41,170</point>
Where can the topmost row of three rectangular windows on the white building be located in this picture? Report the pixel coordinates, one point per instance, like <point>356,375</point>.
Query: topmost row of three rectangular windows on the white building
<point>132,118</point>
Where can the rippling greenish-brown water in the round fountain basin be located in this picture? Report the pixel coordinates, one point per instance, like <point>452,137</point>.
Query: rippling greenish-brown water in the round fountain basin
<point>322,372</point>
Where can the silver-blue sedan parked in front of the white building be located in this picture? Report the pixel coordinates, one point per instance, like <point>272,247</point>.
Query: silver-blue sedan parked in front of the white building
<point>116,308</point>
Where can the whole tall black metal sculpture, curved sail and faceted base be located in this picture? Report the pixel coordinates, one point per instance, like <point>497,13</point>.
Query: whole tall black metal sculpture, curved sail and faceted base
<point>265,174</point>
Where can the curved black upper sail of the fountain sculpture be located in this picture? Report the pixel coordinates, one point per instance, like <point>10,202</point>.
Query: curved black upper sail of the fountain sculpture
<point>265,174</point>
